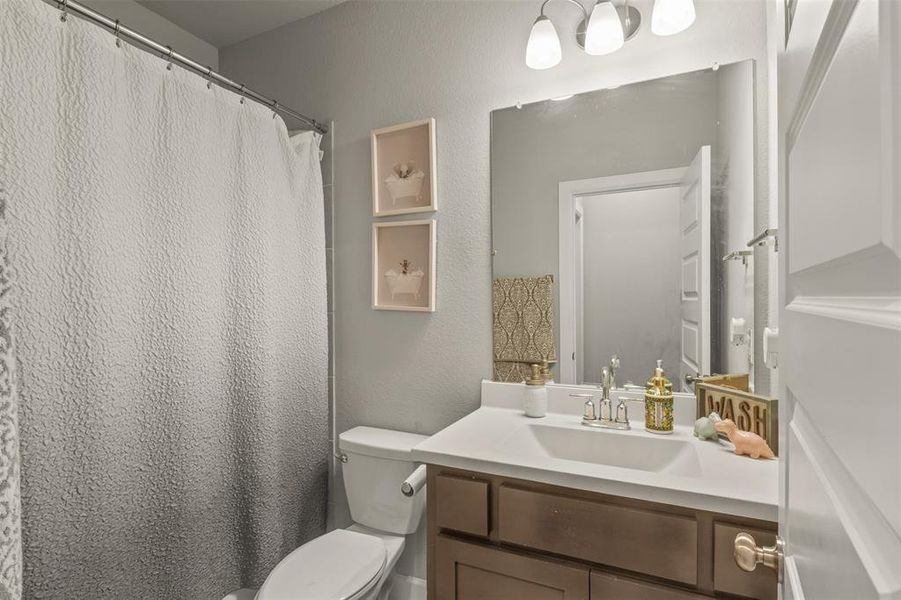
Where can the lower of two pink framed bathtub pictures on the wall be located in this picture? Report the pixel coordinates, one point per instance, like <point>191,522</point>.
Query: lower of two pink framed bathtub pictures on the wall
<point>403,265</point>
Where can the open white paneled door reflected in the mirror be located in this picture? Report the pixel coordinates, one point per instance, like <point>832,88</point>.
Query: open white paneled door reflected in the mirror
<point>694,221</point>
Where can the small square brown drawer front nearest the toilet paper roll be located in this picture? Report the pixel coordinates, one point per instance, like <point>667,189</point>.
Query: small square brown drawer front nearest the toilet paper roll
<point>461,504</point>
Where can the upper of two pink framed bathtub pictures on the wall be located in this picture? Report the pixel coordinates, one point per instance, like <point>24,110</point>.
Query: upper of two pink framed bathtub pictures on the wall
<point>404,169</point>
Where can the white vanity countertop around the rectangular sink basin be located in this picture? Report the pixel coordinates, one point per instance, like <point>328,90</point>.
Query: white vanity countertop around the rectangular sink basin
<point>718,481</point>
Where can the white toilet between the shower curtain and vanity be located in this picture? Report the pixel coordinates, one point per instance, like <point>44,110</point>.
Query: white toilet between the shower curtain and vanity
<point>357,563</point>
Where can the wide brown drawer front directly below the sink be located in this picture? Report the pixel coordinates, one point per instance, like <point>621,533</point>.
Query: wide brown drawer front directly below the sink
<point>636,539</point>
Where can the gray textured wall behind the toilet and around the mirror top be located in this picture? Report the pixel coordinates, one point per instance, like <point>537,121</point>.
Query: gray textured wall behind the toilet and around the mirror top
<point>371,64</point>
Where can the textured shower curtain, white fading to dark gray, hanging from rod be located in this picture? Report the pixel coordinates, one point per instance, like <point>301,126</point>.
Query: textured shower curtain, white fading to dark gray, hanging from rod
<point>166,316</point>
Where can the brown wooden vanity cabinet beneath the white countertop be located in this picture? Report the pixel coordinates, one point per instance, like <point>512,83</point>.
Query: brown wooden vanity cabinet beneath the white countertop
<point>502,538</point>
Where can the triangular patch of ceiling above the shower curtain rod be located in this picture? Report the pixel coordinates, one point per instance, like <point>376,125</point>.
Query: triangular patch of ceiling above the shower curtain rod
<point>226,22</point>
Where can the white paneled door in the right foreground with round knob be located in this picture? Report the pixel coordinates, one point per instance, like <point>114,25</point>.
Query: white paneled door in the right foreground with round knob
<point>840,307</point>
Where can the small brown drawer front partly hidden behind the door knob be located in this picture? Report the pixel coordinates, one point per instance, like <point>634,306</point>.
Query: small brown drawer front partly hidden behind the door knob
<point>760,584</point>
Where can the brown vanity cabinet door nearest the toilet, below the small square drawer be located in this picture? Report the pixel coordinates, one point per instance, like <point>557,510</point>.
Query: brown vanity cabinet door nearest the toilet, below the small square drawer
<point>473,572</point>
